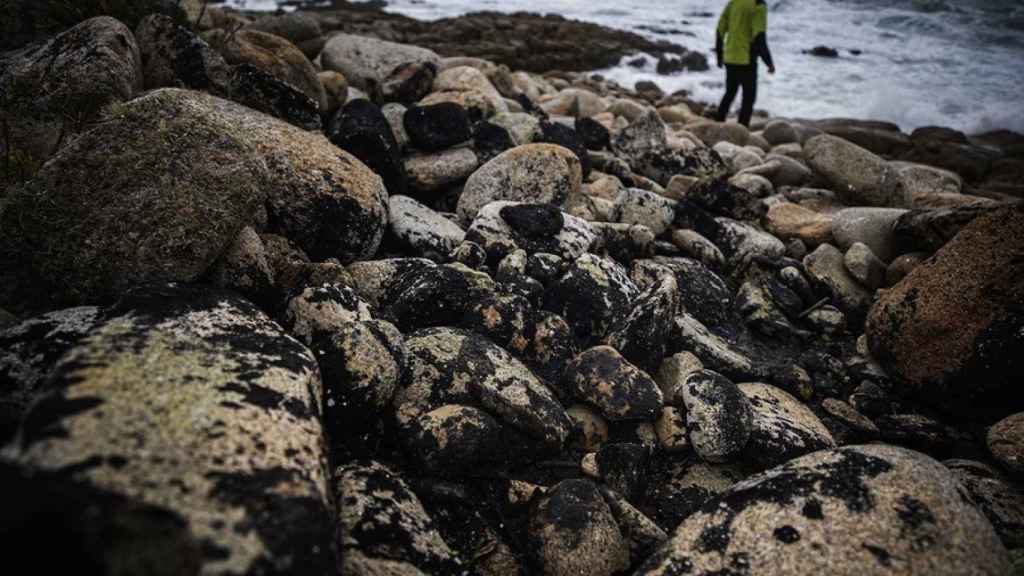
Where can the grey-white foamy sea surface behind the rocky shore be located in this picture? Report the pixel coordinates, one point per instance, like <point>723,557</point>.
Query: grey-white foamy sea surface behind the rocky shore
<point>958,64</point>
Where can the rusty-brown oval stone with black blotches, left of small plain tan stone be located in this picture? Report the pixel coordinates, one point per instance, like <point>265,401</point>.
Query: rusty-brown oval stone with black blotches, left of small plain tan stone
<point>622,392</point>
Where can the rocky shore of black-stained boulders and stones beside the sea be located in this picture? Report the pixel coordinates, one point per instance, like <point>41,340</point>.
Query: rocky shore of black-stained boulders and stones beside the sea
<point>336,293</point>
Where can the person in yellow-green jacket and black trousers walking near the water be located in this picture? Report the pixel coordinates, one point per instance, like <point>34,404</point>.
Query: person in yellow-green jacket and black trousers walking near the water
<point>740,43</point>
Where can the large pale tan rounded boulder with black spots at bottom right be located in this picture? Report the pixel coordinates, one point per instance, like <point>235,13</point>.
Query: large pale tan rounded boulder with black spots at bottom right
<point>860,510</point>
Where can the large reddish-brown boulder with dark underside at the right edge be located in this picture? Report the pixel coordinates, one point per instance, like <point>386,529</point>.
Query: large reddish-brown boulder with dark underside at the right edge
<point>952,331</point>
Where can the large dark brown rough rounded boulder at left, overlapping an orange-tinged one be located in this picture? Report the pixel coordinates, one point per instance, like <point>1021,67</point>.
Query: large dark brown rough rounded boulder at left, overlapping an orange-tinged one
<point>180,182</point>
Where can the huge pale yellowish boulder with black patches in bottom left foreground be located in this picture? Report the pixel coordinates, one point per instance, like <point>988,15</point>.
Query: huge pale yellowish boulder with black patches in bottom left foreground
<point>226,433</point>
